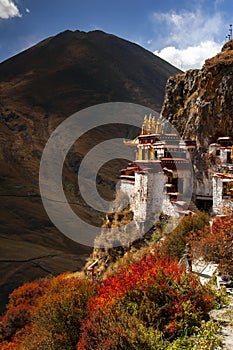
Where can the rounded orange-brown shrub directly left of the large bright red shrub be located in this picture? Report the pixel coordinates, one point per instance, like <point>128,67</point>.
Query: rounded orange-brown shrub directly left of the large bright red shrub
<point>59,314</point>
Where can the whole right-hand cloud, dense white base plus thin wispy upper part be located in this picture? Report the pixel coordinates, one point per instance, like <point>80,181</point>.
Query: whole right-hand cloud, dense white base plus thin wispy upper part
<point>188,37</point>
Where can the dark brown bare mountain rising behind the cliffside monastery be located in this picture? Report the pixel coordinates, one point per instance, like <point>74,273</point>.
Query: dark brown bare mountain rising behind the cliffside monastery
<point>38,89</point>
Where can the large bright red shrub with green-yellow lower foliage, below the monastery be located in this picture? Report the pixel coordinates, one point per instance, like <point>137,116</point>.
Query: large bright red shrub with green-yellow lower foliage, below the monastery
<point>150,298</point>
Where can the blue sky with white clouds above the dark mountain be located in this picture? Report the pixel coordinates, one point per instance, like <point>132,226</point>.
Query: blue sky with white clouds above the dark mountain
<point>182,32</point>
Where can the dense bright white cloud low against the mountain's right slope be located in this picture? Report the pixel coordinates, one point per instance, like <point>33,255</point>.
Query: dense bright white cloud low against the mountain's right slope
<point>191,56</point>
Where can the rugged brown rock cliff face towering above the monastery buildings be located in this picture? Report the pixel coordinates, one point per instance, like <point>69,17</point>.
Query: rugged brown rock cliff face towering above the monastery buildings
<point>199,102</point>
